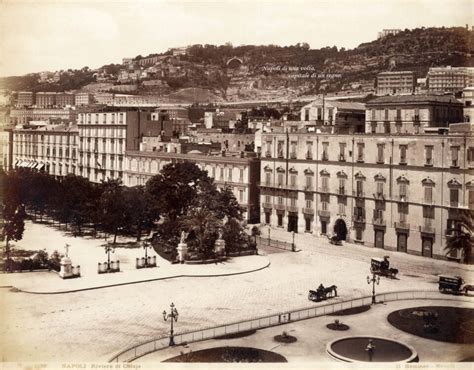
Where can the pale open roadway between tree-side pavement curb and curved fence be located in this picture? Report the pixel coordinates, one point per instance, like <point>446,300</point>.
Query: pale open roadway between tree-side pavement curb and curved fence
<point>95,325</point>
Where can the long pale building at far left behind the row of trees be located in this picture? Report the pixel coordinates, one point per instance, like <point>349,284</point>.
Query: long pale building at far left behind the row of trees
<point>42,146</point>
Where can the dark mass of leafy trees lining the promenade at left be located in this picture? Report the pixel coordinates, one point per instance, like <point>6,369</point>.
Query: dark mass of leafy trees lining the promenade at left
<point>180,198</point>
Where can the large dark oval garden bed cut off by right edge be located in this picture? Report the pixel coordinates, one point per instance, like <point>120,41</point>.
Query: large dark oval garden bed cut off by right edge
<point>444,324</point>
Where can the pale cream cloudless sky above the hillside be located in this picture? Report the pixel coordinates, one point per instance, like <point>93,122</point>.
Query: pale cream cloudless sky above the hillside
<point>49,35</point>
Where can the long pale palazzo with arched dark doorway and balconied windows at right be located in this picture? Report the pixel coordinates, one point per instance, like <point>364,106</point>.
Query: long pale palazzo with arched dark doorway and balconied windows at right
<point>397,192</point>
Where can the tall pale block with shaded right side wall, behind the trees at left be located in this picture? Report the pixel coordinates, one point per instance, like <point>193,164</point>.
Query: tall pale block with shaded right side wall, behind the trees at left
<point>104,136</point>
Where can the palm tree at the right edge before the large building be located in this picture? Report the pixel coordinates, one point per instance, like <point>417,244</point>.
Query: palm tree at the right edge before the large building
<point>461,238</point>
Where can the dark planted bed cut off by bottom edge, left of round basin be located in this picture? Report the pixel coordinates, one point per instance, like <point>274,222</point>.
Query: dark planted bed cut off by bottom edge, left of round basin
<point>229,354</point>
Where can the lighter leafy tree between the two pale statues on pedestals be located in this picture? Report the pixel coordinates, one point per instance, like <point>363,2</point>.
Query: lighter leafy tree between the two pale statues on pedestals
<point>203,224</point>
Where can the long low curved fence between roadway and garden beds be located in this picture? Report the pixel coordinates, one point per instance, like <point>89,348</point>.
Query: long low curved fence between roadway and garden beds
<point>142,349</point>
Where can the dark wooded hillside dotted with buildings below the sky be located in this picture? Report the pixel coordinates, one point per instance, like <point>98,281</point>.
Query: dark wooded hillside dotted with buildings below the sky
<point>256,72</point>
